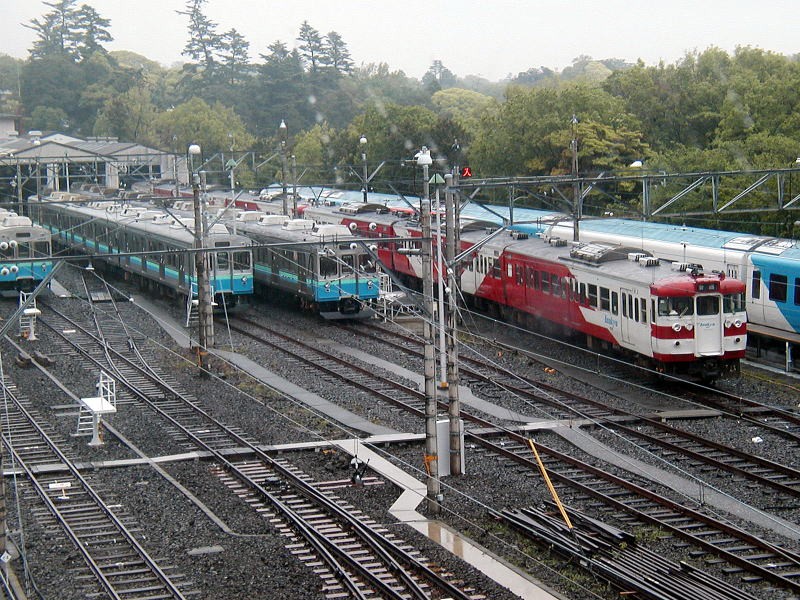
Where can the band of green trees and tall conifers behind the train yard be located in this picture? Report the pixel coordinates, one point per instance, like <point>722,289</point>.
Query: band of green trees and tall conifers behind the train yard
<point>710,110</point>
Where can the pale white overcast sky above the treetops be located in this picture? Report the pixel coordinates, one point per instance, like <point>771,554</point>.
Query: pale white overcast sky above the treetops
<point>489,38</point>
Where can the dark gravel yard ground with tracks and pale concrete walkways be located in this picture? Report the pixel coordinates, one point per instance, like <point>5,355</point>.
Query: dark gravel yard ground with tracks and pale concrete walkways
<point>241,483</point>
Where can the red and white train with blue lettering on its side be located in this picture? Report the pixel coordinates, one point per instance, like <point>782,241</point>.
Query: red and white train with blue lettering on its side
<point>672,316</point>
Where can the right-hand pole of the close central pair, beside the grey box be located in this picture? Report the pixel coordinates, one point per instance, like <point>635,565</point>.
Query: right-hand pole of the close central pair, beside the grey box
<point>453,406</point>
